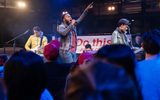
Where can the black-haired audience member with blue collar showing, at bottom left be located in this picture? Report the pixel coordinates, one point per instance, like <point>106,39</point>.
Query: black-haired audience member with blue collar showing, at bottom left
<point>25,77</point>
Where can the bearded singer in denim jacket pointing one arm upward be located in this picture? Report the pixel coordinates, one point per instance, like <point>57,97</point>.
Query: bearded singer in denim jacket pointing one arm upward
<point>68,33</point>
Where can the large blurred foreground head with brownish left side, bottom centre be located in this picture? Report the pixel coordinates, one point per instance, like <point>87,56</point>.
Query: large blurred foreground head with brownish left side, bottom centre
<point>100,81</point>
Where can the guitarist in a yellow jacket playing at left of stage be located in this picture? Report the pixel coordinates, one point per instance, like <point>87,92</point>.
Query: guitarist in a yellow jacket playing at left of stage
<point>37,41</point>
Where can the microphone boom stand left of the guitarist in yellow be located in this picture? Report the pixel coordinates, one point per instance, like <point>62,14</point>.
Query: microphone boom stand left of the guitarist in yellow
<point>14,40</point>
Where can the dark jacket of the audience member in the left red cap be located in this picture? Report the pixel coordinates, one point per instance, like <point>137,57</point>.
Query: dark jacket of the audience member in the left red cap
<point>56,78</point>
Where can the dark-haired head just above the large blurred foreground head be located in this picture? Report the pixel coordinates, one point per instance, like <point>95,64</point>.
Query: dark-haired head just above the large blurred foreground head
<point>120,55</point>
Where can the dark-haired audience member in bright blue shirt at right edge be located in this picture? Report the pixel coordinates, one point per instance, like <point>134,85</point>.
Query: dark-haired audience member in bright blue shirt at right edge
<point>148,71</point>
